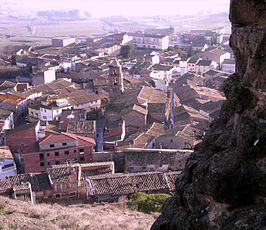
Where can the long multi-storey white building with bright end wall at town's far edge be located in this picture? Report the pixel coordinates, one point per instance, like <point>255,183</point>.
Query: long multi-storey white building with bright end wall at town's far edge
<point>151,41</point>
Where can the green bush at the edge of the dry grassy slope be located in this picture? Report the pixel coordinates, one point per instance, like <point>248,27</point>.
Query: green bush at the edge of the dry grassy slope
<point>147,203</point>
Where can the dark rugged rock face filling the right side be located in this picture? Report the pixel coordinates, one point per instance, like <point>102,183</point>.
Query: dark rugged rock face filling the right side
<point>224,182</point>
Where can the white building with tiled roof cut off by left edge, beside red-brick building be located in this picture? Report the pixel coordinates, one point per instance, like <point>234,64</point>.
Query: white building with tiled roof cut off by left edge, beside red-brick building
<point>7,163</point>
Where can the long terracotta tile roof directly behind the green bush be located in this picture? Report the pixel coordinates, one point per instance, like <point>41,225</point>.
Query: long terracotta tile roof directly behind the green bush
<point>126,184</point>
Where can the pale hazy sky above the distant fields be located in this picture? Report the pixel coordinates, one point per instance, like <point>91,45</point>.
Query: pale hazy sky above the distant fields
<point>100,8</point>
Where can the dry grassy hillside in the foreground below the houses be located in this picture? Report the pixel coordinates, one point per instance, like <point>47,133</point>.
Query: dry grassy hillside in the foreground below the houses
<point>21,215</point>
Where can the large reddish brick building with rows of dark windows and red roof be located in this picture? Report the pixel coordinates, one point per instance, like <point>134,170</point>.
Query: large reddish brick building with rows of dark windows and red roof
<point>56,149</point>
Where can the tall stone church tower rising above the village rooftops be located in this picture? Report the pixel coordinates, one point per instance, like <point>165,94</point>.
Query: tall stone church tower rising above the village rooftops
<point>116,84</point>
